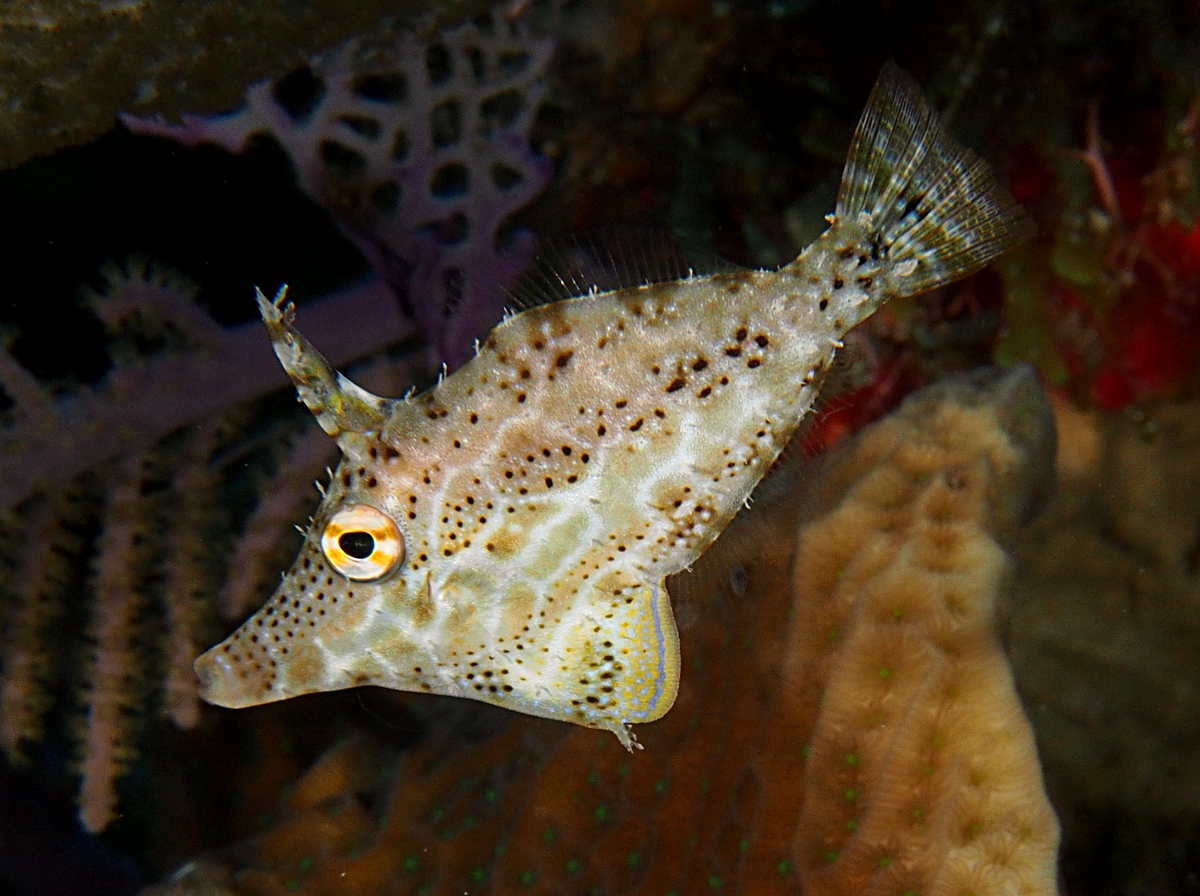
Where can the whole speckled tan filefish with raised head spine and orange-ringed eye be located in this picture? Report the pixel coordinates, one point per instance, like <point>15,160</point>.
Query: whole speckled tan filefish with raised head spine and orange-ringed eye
<point>507,536</point>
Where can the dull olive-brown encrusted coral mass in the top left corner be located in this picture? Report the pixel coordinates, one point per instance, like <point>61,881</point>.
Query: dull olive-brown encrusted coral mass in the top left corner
<point>70,68</point>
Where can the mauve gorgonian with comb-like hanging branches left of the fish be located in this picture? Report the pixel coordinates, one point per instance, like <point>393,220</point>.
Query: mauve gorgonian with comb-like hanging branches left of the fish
<point>110,478</point>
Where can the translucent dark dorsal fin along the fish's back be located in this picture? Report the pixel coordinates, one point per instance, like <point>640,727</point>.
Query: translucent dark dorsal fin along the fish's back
<point>605,261</point>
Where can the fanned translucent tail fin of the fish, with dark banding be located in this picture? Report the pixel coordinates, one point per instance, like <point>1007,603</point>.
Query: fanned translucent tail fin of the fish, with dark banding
<point>931,201</point>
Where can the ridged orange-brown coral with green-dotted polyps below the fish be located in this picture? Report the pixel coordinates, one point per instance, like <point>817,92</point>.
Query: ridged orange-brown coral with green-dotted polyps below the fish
<point>745,786</point>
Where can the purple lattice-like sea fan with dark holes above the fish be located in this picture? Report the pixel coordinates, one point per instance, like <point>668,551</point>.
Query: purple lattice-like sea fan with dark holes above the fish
<point>419,151</point>
